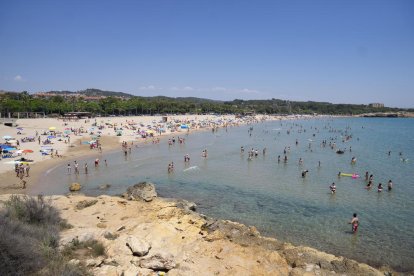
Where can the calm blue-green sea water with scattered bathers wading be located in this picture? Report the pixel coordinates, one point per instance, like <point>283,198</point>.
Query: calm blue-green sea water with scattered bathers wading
<point>273,196</point>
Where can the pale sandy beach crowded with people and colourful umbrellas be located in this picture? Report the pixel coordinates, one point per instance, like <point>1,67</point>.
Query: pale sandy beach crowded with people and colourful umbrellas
<point>72,138</point>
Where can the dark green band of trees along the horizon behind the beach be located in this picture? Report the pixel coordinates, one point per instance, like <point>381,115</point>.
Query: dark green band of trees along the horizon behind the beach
<point>118,103</point>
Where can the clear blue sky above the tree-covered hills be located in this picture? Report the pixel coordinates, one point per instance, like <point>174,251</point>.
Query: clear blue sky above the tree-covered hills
<point>338,51</point>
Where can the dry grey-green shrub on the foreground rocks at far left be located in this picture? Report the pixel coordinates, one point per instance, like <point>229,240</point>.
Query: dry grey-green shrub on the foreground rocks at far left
<point>29,235</point>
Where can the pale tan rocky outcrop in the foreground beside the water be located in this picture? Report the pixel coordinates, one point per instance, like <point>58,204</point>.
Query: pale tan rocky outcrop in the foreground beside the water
<point>144,238</point>
